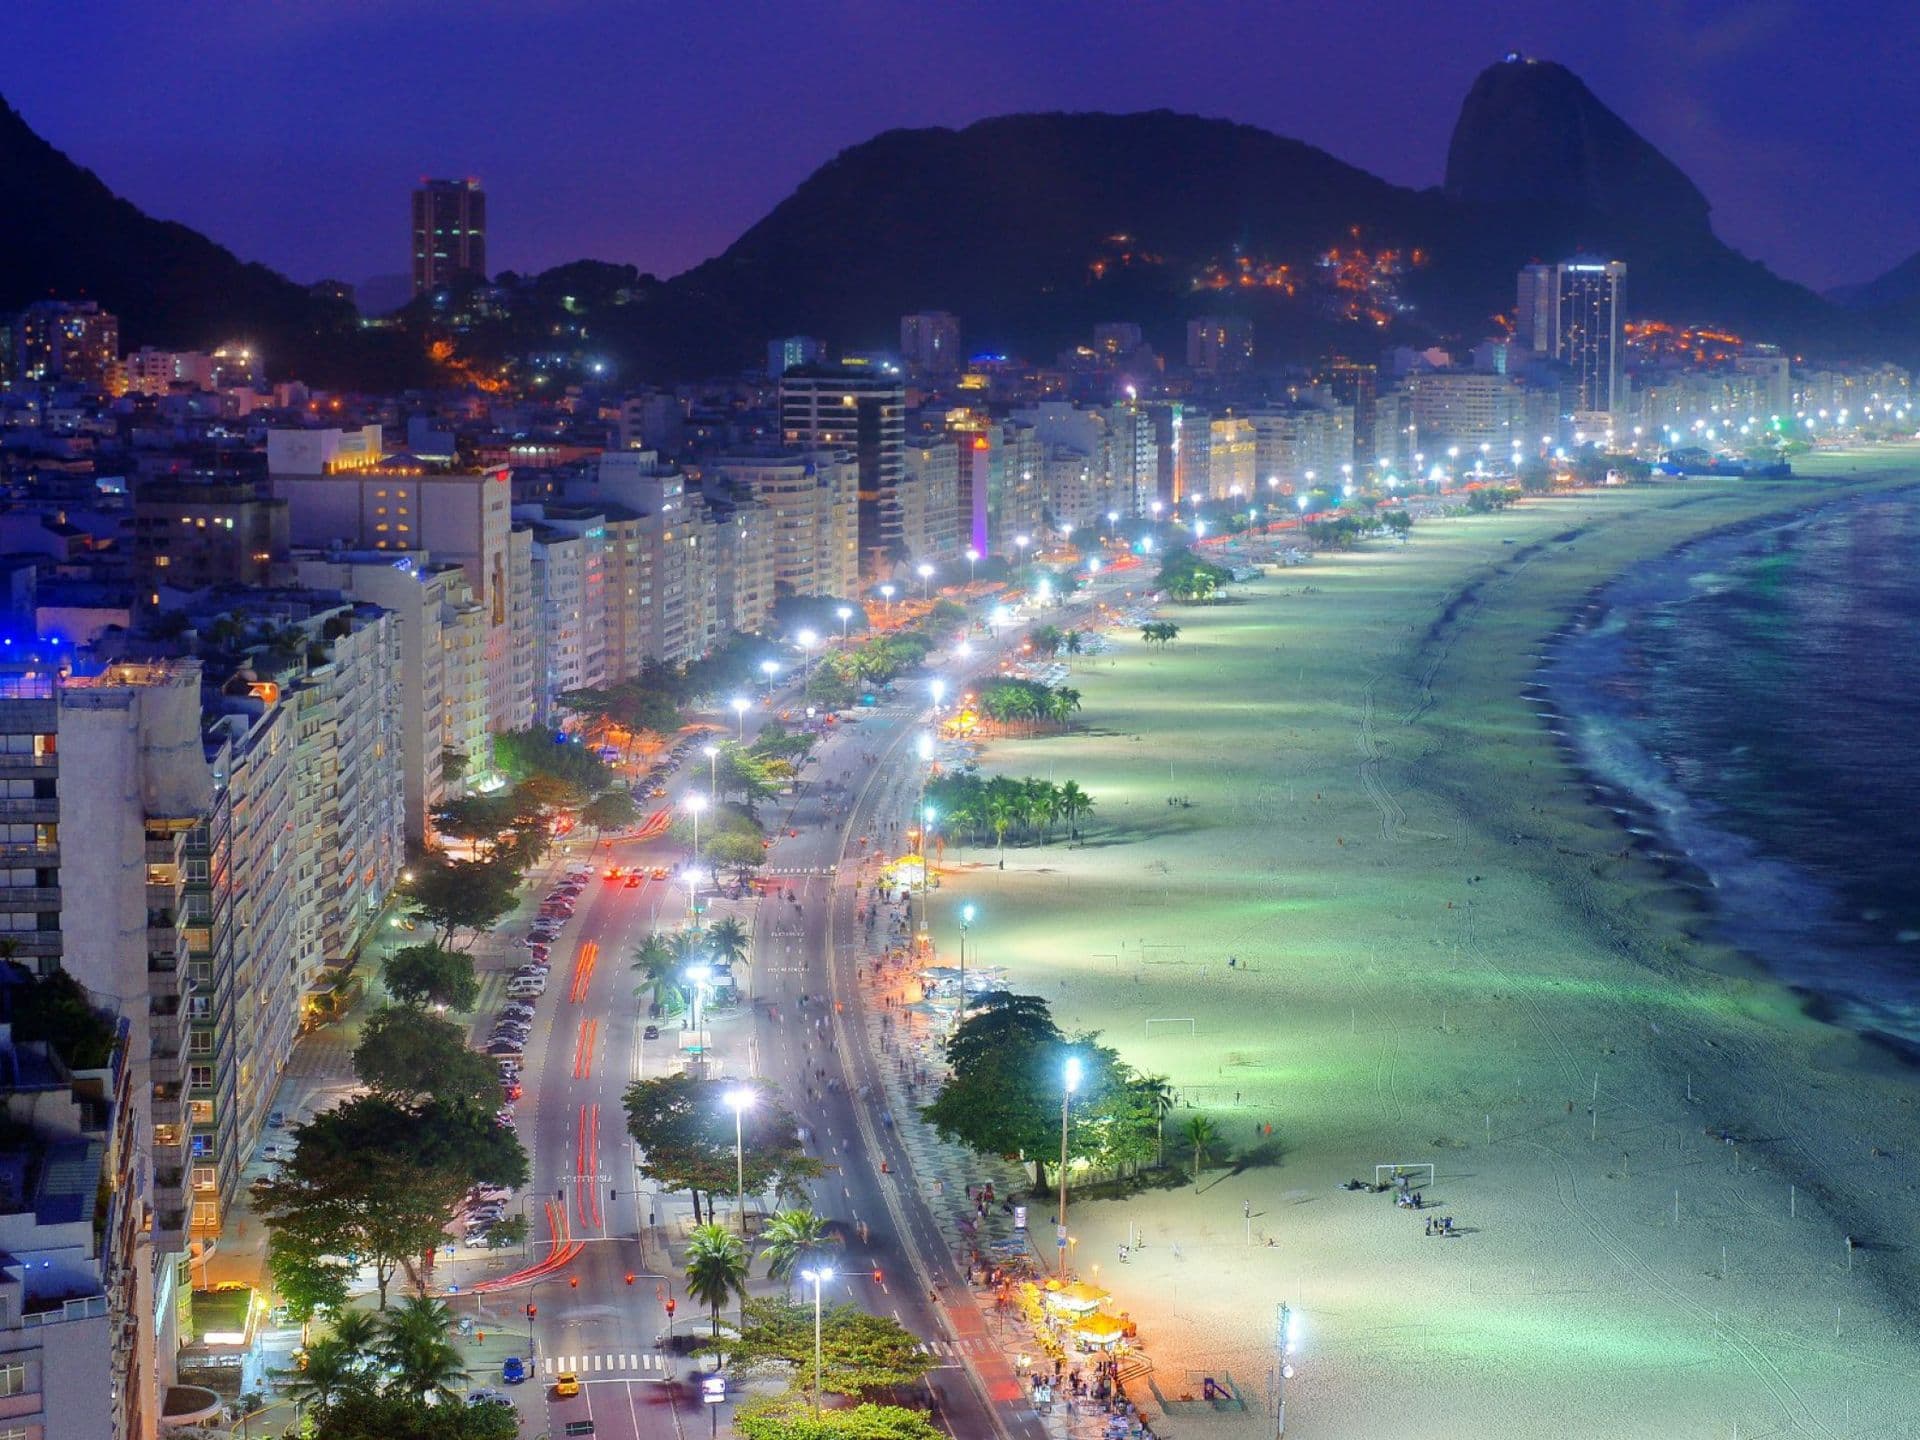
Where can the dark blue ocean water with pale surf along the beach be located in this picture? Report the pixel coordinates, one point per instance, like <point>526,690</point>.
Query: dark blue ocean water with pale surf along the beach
<point>1752,708</point>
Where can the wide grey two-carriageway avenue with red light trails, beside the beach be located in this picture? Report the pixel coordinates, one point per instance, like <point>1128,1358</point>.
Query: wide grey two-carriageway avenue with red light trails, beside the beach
<point>600,1237</point>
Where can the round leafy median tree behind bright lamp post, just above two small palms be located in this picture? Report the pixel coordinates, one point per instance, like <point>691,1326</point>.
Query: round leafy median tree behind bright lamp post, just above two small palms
<point>686,1136</point>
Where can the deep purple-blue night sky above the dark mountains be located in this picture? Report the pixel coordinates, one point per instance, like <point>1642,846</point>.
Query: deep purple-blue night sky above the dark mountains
<point>650,133</point>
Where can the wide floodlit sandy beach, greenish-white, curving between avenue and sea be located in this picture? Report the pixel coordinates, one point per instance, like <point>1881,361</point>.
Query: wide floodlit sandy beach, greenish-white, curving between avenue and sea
<point>1447,957</point>
